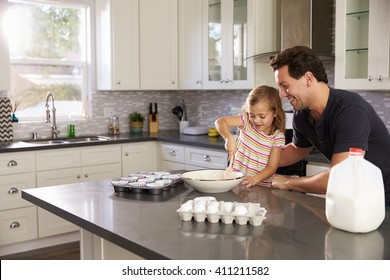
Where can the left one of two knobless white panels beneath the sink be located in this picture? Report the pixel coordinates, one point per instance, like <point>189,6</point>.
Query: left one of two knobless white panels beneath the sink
<point>58,159</point>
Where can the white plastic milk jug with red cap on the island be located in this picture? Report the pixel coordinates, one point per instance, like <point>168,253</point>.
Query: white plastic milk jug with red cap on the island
<point>355,198</point>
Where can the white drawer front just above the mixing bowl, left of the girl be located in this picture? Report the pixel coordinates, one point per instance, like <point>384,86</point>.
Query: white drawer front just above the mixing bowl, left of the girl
<point>206,158</point>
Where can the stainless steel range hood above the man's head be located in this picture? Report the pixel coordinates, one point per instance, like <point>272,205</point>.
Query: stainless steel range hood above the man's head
<point>305,23</point>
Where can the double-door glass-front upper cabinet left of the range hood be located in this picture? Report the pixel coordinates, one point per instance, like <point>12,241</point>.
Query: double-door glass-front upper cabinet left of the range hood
<point>227,41</point>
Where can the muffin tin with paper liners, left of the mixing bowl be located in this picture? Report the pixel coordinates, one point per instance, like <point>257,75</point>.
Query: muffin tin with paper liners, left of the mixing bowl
<point>151,182</point>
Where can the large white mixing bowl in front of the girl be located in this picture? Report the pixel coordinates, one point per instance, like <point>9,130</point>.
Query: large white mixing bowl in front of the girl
<point>211,180</point>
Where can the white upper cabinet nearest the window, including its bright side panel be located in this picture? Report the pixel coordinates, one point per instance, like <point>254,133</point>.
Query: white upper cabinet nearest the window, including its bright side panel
<point>117,48</point>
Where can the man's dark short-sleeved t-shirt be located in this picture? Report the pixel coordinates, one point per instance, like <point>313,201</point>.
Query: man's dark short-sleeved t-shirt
<point>348,121</point>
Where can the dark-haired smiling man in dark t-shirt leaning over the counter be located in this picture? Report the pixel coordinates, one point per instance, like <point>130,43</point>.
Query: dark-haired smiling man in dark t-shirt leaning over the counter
<point>328,119</point>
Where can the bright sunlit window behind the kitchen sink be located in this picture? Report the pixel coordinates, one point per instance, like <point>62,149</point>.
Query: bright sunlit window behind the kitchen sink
<point>48,46</point>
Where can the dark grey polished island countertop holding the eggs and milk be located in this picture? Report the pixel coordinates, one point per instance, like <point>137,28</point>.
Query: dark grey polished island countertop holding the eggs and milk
<point>149,226</point>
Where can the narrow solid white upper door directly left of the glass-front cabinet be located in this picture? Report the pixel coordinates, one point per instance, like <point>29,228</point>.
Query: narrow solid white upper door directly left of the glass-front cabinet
<point>190,44</point>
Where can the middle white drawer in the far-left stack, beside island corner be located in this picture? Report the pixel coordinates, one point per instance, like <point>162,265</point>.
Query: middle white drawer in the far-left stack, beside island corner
<point>11,187</point>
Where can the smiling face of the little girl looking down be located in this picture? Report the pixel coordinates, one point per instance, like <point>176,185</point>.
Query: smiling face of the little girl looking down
<point>262,116</point>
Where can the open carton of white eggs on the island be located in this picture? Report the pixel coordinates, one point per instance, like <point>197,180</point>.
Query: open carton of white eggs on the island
<point>202,208</point>
